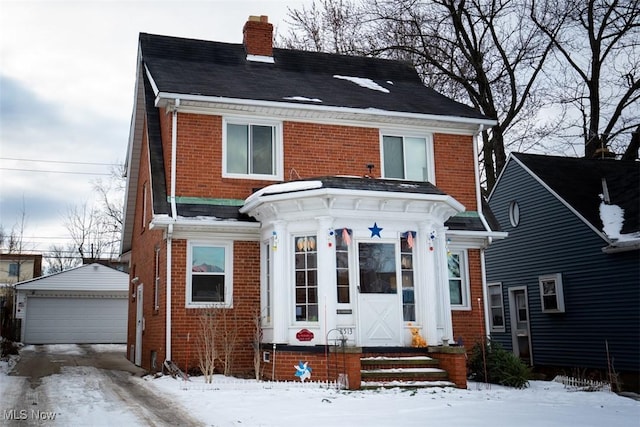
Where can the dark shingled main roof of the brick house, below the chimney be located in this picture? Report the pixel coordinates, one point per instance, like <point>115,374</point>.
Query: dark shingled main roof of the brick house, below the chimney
<point>197,67</point>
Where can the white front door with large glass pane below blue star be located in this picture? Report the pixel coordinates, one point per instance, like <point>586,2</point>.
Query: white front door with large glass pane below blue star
<point>379,306</point>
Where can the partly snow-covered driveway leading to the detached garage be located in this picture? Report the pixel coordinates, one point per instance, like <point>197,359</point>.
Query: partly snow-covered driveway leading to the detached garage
<point>79,386</point>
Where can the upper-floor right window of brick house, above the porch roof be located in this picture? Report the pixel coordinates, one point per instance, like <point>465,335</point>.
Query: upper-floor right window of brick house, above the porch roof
<point>407,157</point>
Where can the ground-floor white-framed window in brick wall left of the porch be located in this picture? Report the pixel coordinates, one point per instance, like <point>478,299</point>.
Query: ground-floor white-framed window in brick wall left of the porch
<point>210,279</point>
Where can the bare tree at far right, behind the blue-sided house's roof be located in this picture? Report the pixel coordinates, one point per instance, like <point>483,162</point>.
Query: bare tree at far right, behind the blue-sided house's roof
<point>597,46</point>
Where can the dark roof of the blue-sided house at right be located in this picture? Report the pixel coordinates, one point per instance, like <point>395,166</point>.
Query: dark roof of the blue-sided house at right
<point>578,181</point>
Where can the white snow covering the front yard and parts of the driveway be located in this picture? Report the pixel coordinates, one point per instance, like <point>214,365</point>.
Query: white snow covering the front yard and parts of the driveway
<point>235,402</point>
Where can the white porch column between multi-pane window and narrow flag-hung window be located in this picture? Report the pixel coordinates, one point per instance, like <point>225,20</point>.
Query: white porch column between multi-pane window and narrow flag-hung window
<point>327,304</point>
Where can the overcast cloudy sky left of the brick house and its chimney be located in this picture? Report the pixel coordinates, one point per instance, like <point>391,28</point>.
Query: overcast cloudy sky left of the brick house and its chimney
<point>67,71</point>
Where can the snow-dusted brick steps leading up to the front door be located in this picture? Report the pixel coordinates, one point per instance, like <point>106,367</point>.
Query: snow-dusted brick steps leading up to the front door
<point>403,372</point>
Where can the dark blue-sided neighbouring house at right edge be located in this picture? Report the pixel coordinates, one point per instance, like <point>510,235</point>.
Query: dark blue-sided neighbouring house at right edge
<point>564,288</point>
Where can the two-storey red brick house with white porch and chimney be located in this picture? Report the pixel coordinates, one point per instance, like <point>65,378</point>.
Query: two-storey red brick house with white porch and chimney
<point>336,198</point>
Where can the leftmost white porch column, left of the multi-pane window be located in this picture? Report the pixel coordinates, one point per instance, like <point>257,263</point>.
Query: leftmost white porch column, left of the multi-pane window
<point>281,285</point>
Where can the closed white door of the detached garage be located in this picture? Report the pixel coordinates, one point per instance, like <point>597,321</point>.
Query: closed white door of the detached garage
<point>76,320</point>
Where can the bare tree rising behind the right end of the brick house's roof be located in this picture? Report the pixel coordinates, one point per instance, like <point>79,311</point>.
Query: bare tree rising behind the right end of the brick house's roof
<point>483,52</point>
